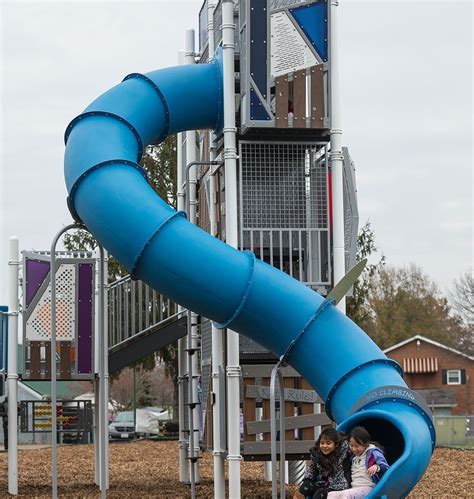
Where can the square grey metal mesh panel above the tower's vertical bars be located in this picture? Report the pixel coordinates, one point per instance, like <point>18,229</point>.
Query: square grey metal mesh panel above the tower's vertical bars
<point>283,186</point>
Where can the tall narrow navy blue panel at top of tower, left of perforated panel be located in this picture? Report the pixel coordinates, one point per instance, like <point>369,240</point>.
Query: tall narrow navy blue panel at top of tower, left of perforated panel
<point>258,45</point>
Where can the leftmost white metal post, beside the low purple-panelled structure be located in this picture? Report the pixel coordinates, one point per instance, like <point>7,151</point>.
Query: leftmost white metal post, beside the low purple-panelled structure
<point>12,369</point>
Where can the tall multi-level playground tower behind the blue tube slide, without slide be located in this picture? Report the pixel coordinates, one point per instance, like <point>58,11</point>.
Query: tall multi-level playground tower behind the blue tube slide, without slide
<point>283,206</point>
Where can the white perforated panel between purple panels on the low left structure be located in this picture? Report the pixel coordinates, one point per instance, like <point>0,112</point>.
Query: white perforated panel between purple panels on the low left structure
<point>38,326</point>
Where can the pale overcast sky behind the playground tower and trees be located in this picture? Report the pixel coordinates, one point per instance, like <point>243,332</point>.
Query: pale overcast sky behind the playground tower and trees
<point>406,104</point>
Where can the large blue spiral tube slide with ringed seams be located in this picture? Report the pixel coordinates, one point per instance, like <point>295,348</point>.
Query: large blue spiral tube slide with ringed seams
<point>109,193</point>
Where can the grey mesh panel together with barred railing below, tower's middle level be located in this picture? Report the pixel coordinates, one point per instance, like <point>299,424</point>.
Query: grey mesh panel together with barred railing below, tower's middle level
<point>284,207</point>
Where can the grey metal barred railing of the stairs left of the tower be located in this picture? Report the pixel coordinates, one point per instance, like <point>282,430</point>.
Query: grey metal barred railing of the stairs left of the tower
<point>134,308</point>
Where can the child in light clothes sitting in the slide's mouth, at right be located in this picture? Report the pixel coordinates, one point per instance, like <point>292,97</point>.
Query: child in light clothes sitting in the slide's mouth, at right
<point>368,466</point>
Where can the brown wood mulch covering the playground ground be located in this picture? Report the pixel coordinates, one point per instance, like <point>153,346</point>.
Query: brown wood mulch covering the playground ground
<point>150,469</point>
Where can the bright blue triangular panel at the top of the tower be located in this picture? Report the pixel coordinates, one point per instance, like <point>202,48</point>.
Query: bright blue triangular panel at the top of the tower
<point>313,20</point>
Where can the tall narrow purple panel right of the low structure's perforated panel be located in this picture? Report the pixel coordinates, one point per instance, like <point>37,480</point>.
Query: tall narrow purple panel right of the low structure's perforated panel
<point>84,319</point>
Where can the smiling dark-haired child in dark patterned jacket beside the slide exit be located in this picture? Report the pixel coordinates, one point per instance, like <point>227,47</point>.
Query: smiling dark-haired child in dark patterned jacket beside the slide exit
<point>329,468</point>
